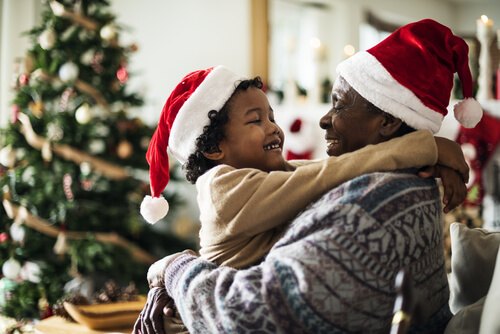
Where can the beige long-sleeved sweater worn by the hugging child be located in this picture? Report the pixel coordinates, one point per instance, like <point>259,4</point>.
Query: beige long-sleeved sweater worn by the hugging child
<point>244,211</point>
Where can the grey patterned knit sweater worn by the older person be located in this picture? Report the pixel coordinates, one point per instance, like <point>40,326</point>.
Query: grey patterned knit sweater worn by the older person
<point>334,269</point>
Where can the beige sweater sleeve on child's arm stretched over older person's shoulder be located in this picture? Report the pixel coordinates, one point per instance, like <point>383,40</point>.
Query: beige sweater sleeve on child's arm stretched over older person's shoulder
<point>249,201</point>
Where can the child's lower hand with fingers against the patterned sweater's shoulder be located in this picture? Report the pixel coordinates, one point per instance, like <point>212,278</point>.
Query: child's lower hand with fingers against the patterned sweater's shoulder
<point>455,190</point>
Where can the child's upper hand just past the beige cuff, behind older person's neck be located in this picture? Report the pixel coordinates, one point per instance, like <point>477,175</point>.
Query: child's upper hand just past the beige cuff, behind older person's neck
<point>450,155</point>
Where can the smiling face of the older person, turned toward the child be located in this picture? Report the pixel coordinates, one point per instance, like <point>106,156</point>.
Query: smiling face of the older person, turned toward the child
<point>349,125</point>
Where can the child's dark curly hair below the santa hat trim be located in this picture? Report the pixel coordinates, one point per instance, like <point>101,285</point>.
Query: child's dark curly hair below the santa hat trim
<point>208,142</point>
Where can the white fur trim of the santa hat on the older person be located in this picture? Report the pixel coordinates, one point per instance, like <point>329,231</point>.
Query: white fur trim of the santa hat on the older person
<point>372,81</point>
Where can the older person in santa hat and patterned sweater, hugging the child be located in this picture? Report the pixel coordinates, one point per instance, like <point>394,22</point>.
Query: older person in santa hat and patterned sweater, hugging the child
<point>333,270</point>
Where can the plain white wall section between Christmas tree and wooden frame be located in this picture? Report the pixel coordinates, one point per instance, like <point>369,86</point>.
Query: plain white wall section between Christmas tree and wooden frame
<point>176,37</point>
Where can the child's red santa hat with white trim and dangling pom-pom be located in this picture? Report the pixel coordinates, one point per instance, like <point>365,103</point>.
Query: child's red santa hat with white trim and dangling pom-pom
<point>182,120</point>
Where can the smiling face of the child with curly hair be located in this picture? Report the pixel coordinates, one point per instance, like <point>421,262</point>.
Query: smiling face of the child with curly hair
<point>252,139</point>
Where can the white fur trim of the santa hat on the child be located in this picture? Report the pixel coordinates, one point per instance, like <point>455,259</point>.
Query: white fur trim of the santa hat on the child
<point>211,94</point>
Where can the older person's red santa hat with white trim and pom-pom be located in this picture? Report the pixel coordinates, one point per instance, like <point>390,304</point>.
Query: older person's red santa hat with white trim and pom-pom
<point>410,75</point>
